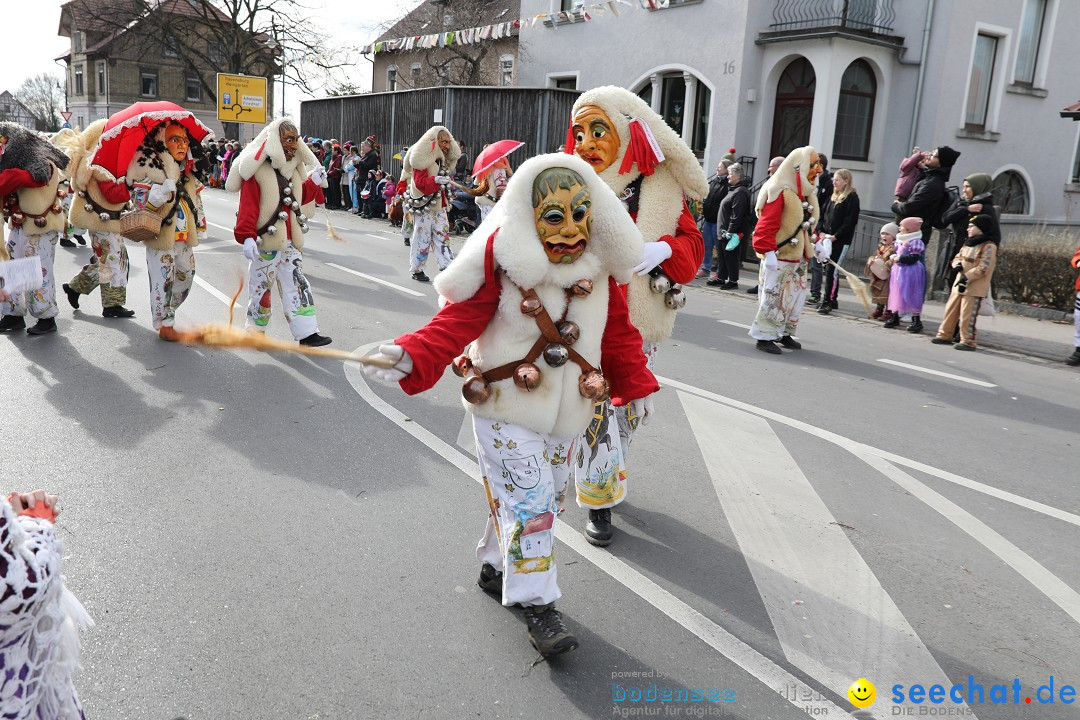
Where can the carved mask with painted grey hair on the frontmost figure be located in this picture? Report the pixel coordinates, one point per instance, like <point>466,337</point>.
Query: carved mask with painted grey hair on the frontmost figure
<point>563,214</point>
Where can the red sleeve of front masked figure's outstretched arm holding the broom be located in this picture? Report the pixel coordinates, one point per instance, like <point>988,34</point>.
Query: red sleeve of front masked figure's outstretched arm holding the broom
<point>440,342</point>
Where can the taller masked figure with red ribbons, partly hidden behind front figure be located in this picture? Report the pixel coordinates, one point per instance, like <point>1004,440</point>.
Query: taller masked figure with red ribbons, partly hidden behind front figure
<point>653,171</point>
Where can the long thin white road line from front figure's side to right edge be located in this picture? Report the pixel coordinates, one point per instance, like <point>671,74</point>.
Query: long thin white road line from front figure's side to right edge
<point>855,449</point>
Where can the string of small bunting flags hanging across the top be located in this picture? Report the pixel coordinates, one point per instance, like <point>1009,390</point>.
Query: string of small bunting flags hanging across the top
<point>584,13</point>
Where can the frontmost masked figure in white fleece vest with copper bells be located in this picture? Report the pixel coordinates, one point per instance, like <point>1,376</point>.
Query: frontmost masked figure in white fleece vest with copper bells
<point>535,292</point>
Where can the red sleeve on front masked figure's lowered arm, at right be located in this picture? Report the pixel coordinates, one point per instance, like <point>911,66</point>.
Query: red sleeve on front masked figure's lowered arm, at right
<point>623,360</point>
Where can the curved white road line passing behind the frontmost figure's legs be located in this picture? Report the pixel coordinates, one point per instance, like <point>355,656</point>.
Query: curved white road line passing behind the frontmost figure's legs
<point>757,664</point>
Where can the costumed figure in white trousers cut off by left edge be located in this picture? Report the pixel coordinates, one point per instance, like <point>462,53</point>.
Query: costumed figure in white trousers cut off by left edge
<point>33,186</point>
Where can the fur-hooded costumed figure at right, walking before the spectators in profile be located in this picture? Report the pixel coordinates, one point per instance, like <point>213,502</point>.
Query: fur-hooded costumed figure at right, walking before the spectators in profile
<point>786,240</point>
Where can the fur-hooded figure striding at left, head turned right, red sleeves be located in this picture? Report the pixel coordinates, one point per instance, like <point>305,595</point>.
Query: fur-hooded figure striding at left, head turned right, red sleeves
<point>277,199</point>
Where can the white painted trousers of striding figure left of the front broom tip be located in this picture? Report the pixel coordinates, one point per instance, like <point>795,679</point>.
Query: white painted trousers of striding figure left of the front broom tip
<point>285,270</point>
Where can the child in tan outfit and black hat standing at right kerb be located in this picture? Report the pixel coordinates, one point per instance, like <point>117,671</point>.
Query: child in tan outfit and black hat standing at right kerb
<point>975,264</point>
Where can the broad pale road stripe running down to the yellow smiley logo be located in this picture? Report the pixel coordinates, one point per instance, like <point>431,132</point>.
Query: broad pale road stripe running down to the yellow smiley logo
<point>846,626</point>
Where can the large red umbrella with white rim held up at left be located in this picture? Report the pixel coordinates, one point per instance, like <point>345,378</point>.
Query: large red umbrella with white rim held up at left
<point>127,130</point>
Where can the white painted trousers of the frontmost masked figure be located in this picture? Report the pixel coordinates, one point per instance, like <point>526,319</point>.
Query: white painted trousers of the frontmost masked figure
<point>525,477</point>
